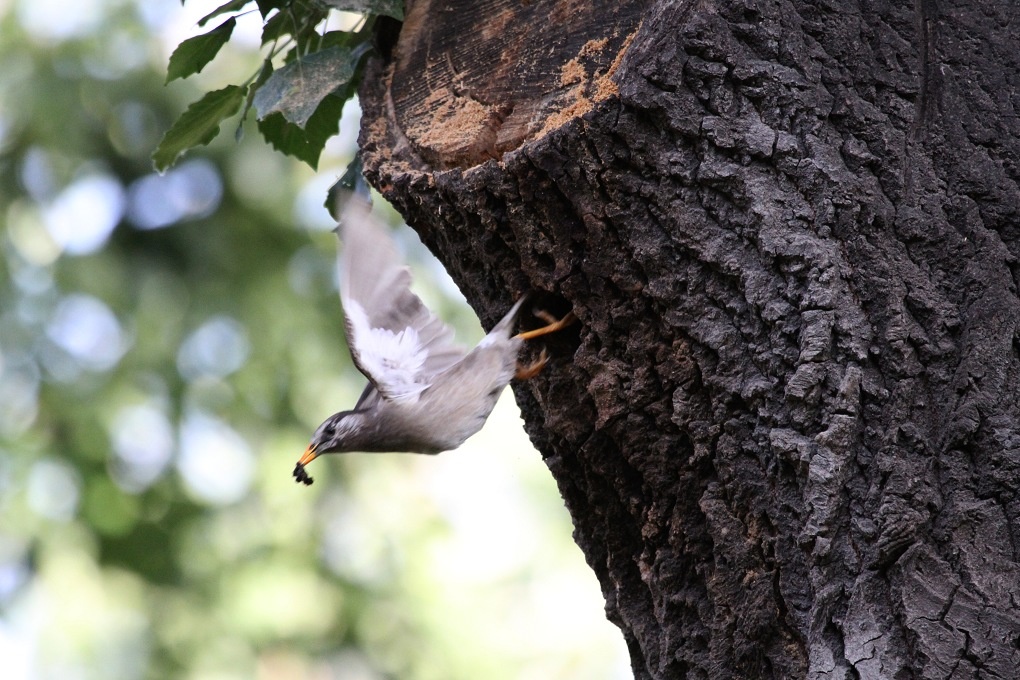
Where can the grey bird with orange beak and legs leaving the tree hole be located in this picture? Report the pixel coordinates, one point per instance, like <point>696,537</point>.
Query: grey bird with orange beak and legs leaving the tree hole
<point>426,394</point>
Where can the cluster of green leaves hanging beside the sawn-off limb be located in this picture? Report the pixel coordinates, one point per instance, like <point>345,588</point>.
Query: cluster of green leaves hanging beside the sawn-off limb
<point>300,90</point>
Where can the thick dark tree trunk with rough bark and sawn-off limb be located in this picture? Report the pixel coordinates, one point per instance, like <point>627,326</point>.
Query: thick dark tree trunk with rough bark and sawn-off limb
<point>788,426</point>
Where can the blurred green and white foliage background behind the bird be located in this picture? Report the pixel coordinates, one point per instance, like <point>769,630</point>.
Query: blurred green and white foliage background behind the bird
<point>168,345</point>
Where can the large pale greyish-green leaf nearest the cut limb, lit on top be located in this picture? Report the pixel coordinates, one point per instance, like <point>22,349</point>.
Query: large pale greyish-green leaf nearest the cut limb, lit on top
<point>297,90</point>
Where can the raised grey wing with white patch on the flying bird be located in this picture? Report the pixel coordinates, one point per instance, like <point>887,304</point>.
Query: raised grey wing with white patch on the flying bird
<point>395,341</point>
